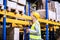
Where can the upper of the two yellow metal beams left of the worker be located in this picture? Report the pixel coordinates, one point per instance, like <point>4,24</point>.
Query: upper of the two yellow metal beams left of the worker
<point>16,15</point>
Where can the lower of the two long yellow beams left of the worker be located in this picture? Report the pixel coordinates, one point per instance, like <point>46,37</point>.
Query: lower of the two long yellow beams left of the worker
<point>15,21</point>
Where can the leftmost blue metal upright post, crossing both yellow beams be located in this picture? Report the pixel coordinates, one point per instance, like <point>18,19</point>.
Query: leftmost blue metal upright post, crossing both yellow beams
<point>4,20</point>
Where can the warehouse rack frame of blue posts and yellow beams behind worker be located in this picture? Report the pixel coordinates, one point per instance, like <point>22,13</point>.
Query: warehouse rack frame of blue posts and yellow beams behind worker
<point>4,20</point>
